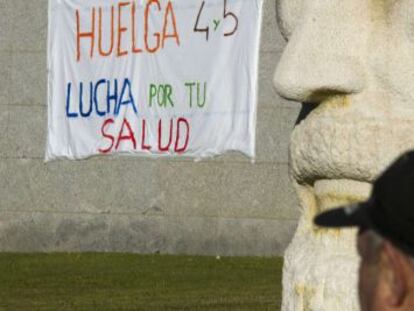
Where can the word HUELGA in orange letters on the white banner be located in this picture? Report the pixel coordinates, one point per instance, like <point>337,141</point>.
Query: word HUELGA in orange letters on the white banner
<point>129,27</point>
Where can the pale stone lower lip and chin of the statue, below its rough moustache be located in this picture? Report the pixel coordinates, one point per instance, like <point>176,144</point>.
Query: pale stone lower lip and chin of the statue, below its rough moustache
<point>320,266</point>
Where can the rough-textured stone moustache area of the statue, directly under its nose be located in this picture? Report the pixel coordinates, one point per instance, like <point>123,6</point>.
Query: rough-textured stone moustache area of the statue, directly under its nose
<point>339,143</point>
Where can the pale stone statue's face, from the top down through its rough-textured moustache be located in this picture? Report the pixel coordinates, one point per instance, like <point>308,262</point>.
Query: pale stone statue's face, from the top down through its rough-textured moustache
<point>351,64</point>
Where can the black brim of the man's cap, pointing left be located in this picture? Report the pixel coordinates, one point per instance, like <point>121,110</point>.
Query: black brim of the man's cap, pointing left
<point>355,215</point>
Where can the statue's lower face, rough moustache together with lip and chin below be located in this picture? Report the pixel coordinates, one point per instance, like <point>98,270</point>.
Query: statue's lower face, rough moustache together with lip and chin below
<point>335,154</point>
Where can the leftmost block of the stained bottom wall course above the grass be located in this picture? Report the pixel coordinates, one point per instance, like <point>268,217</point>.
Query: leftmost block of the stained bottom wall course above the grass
<point>51,232</point>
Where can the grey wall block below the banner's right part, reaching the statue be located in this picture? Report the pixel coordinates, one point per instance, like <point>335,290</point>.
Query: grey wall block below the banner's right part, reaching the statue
<point>227,190</point>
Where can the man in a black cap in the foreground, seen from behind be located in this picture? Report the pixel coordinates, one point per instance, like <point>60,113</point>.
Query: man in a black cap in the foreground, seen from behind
<point>385,238</point>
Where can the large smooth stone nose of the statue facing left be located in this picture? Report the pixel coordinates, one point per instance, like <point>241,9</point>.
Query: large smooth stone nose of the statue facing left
<point>312,68</point>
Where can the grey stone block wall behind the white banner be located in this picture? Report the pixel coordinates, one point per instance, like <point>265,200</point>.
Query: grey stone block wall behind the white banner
<point>225,206</point>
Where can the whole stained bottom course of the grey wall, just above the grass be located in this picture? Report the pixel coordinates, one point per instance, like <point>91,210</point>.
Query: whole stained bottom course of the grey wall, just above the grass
<point>45,232</point>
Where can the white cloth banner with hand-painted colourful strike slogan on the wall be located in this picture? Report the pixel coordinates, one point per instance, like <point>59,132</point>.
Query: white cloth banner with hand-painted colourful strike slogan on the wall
<point>153,77</point>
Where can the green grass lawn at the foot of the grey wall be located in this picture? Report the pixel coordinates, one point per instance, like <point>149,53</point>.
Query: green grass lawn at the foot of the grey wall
<point>91,281</point>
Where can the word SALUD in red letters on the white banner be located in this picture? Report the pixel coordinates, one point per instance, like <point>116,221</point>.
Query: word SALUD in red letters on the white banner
<point>134,136</point>
